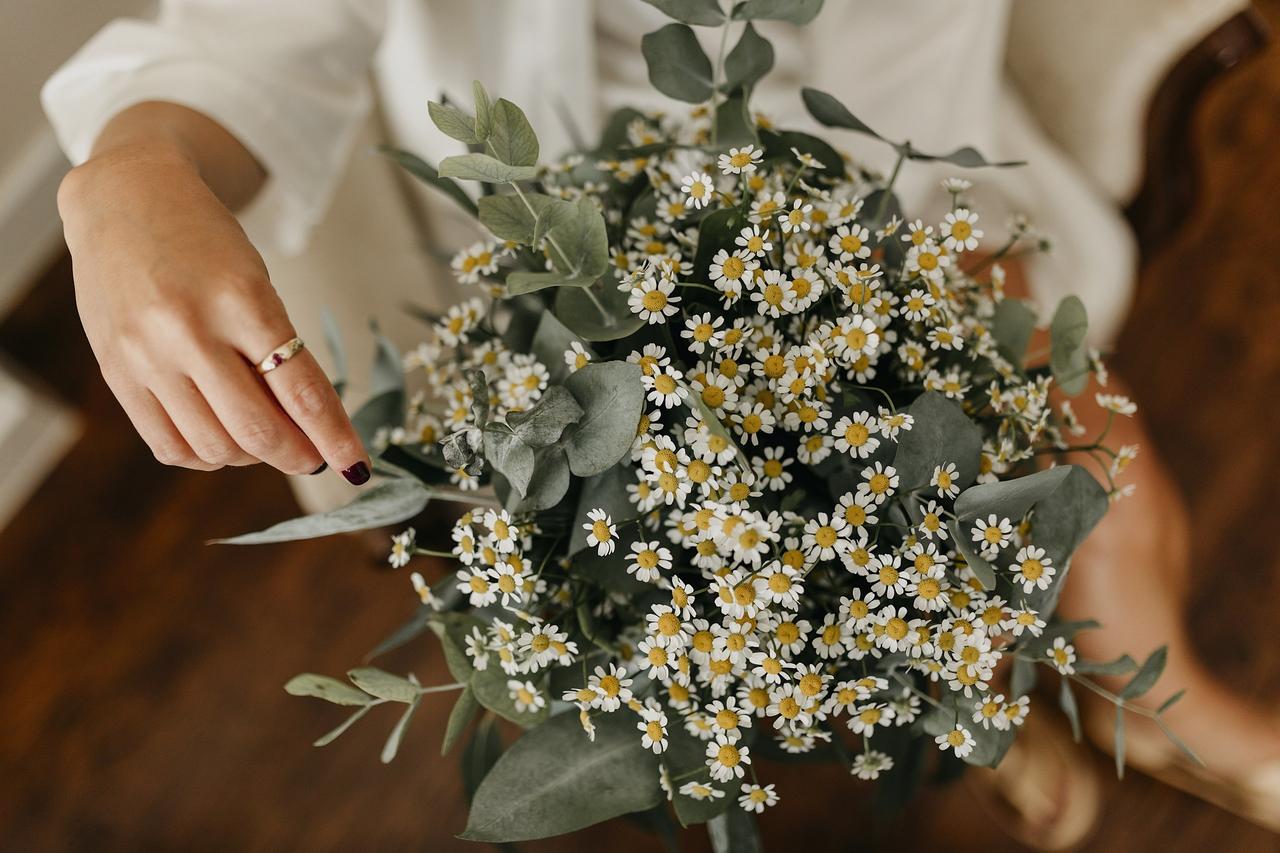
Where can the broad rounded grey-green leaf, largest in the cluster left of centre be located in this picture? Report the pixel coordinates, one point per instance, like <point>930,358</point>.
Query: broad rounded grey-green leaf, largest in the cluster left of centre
<point>612,400</point>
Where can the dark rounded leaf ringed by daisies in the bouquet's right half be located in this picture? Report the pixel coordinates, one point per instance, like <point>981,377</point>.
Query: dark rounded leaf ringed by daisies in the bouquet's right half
<point>941,434</point>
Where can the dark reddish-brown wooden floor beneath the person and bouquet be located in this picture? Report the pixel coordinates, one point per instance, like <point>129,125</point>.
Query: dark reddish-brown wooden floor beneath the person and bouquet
<point>140,670</point>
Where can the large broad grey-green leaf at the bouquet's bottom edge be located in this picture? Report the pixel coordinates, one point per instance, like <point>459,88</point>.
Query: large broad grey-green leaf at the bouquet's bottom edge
<point>554,781</point>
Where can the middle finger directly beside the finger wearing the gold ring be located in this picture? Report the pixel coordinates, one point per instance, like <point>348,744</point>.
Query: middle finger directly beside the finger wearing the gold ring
<point>253,417</point>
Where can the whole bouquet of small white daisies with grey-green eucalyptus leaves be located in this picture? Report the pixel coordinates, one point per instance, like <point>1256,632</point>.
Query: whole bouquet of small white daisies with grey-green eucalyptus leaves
<point>758,464</point>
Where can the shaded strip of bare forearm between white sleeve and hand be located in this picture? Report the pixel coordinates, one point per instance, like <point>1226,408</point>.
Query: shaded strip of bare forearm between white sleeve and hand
<point>163,130</point>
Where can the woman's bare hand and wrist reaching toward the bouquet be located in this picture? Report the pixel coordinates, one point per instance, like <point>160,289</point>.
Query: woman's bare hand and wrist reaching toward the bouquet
<point>179,307</point>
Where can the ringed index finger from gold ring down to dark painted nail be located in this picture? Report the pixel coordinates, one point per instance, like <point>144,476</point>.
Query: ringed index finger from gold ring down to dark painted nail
<point>309,398</point>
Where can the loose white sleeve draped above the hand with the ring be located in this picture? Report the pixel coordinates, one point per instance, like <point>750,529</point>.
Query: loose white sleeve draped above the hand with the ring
<point>289,79</point>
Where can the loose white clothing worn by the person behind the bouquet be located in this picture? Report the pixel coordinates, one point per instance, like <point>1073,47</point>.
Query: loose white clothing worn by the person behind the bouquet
<point>291,80</point>
